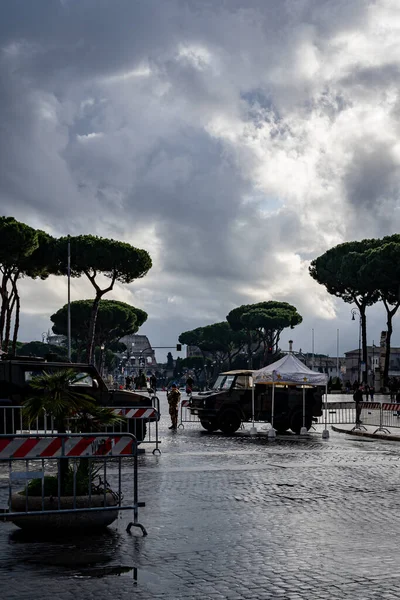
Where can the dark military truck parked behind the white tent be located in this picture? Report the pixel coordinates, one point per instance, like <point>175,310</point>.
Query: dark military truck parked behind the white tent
<point>229,404</point>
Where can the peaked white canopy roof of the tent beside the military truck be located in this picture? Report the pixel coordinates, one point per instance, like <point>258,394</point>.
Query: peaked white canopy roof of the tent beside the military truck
<point>289,370</point>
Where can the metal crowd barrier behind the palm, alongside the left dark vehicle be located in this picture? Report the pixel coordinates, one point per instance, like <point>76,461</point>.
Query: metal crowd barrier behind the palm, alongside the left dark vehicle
<point>140,420</point>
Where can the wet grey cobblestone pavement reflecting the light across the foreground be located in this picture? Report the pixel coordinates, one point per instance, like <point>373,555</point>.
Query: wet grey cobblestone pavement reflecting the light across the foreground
<point>233,517</point>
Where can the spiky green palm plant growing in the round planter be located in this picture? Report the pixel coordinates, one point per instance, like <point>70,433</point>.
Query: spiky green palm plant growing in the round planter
<point>54,395</point>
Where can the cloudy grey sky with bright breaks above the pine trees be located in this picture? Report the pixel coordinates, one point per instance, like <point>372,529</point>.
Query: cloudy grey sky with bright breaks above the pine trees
<point>235,140</point>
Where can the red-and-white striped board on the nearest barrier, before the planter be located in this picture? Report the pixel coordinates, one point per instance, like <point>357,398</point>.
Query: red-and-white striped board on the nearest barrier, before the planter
<point>64,446</point>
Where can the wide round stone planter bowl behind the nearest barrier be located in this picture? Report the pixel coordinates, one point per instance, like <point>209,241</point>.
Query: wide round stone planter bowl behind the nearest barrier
<point>87,520</point>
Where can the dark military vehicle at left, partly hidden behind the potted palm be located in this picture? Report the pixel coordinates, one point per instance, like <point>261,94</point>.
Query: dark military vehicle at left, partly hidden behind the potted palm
<point>17,372</point>
